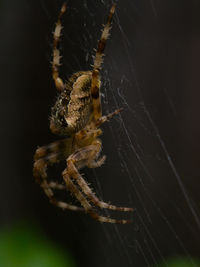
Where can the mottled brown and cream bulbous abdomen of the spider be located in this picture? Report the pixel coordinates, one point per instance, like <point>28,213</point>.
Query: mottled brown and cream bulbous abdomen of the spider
<point>73,107</point>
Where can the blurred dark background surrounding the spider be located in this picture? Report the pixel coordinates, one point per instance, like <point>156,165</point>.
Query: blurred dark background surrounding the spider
<point>152,70</point>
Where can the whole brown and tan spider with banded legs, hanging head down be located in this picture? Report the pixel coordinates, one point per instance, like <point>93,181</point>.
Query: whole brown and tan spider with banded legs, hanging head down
<point>77,116</point>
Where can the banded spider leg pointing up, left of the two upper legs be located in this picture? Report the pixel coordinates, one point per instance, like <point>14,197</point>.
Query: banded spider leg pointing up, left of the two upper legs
<point>56,53</point>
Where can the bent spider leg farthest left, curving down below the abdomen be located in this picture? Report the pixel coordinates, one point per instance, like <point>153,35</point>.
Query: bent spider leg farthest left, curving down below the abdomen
<point>40,174</point>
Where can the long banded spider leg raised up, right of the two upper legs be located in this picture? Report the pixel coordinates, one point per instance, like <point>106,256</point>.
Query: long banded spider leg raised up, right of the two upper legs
<point>96,101</point>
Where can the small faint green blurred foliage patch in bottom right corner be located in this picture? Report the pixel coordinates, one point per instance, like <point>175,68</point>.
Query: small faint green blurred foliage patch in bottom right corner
<point>181,262</point>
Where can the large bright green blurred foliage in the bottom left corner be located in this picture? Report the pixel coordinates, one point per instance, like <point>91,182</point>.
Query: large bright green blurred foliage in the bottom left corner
<point>25,246</point>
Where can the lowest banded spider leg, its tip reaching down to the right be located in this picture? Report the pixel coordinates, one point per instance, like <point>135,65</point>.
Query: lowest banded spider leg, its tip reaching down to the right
<point>88,208</point>
